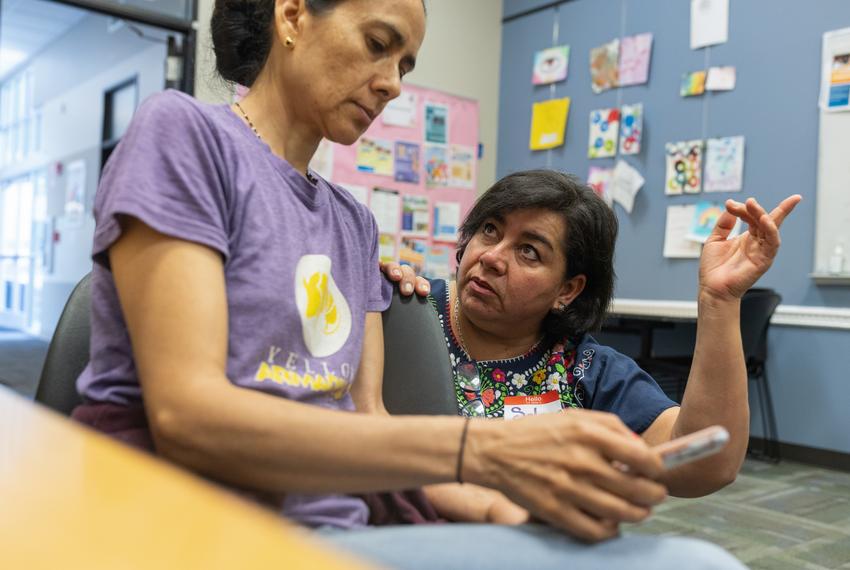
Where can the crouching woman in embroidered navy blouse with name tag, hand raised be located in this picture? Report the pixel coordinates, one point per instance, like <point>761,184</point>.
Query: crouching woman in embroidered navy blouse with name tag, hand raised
<point>536,275</point>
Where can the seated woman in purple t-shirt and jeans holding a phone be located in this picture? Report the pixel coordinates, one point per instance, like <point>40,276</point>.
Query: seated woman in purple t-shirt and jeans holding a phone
<point>236,326</point>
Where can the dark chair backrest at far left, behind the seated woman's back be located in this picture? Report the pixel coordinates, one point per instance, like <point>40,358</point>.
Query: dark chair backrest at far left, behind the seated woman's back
<point>68,352</point>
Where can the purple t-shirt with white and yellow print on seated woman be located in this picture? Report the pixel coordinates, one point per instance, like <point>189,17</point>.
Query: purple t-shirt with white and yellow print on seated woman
<point>300,264</point>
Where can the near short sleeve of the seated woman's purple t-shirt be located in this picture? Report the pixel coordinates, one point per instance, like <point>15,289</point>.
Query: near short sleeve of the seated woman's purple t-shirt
<point>167,173</point>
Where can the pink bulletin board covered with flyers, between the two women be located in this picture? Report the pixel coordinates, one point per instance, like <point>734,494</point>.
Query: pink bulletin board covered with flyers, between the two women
<point>448,192</point>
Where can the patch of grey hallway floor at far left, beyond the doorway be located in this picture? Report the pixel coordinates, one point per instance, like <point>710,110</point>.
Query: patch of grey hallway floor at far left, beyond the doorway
<point>21,359</point>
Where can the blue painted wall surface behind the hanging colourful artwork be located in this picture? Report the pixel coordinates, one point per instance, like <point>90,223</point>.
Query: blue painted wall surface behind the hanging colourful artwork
<point>777,55</point>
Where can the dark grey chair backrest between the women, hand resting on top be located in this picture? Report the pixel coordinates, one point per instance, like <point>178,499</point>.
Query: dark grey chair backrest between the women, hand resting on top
<point>417,370</point>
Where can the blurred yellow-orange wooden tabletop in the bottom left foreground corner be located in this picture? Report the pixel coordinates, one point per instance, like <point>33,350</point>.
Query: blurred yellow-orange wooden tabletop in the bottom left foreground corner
<point>72,498</point>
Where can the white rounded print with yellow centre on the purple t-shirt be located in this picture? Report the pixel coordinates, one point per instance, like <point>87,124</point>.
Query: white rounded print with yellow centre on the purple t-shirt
<point>325,315</point>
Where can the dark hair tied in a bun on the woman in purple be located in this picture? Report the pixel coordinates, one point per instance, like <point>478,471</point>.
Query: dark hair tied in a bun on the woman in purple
<point>242,35</point>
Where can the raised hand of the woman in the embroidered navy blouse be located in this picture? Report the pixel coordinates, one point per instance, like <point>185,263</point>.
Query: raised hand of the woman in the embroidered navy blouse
<point>728,267</point>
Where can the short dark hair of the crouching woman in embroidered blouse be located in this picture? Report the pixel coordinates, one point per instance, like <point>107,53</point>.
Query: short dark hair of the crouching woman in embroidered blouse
<point>589,239</point>
